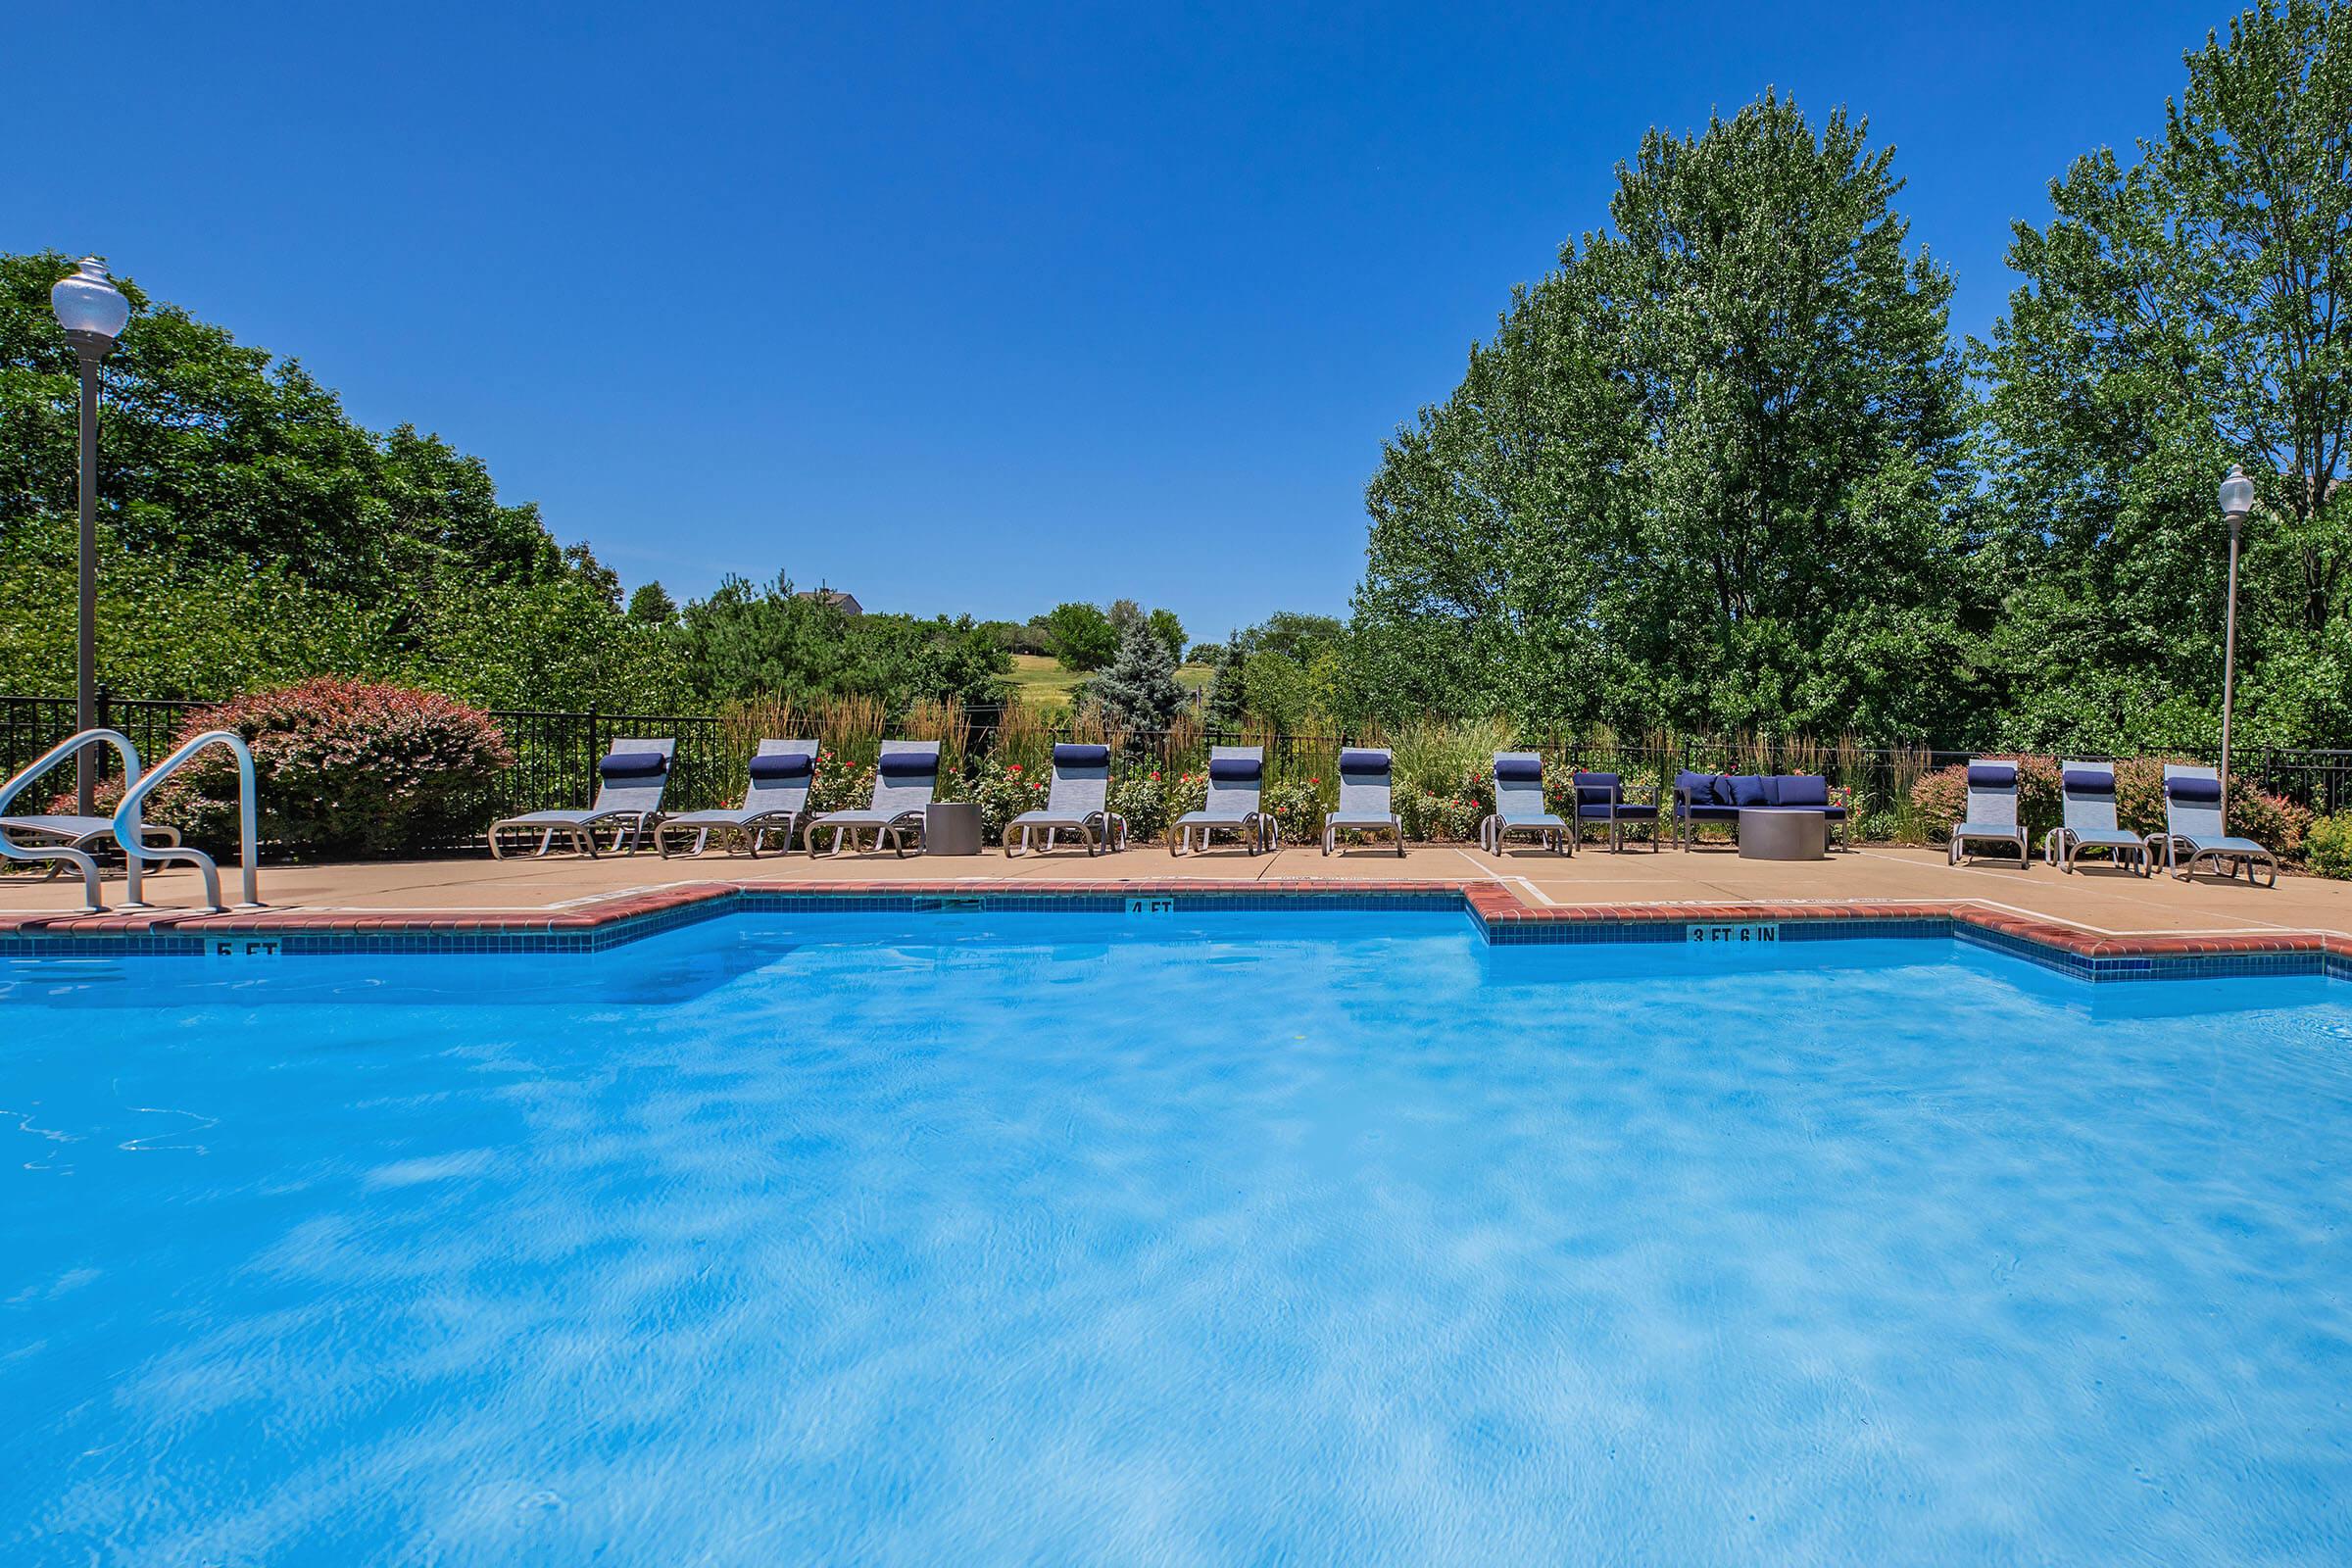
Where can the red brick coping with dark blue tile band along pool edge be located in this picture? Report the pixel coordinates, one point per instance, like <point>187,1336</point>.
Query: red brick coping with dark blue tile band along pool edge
<point>1497,909</point>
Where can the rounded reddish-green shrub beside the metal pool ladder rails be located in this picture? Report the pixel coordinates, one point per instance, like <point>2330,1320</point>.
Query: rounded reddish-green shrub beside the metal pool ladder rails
<point>342,768</point>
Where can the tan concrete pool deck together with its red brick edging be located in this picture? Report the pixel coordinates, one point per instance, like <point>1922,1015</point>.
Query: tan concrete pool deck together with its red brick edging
<point>2092,909</point>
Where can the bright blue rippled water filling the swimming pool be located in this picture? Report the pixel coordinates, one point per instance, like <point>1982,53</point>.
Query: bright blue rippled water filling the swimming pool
<point>1238,1240</point>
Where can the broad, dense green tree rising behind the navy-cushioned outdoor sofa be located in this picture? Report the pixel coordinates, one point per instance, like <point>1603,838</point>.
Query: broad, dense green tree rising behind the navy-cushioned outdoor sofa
<point>1699,467</point>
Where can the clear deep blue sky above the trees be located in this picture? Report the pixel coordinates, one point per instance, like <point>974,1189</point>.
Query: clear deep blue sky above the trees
<point>965,309</point>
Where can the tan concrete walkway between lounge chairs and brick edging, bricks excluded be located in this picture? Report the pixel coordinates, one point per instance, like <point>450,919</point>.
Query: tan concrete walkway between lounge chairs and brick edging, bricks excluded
<point>2094,899</point>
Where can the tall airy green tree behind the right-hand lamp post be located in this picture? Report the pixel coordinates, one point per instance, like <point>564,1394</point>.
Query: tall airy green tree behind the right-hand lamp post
<point>2184,314</point>
